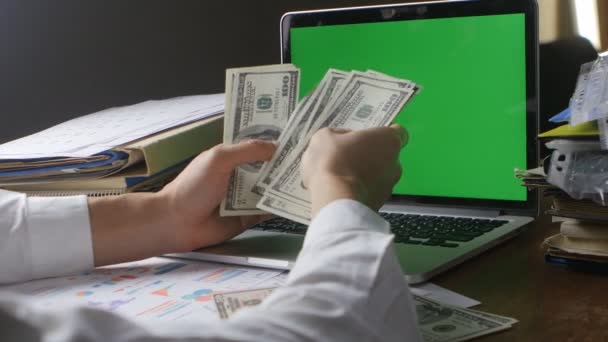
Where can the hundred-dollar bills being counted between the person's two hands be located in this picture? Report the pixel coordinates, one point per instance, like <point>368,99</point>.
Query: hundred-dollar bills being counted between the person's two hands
<point>350,100</point>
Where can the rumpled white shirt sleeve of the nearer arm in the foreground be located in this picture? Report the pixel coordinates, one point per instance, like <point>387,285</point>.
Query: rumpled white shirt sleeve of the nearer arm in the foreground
<point>345,286</point>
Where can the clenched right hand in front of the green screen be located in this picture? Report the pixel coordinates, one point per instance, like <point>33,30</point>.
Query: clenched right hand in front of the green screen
<point>361,165</point>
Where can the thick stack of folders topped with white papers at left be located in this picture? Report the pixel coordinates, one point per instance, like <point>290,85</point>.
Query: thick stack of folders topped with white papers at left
<point>118,150</point>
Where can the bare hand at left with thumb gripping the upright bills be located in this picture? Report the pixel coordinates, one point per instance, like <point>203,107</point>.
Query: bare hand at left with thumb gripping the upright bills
<point>189,204</point>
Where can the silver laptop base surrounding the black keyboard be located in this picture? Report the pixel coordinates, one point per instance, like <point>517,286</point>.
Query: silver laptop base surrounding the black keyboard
<point>279,250</point>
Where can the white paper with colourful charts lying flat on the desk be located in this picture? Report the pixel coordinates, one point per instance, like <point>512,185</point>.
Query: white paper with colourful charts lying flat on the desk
<point>152,290</point>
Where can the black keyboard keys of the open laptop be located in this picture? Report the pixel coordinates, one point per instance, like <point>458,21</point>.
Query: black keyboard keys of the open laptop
<point>442,231</point>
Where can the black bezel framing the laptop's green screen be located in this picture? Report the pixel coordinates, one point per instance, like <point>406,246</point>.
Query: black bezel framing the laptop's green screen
<point>435,10</point>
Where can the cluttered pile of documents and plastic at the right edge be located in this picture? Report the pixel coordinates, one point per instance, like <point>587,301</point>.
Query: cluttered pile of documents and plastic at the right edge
<point>574,176</point>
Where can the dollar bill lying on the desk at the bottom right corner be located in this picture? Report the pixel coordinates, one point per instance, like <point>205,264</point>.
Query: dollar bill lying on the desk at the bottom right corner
<point>443,323</point>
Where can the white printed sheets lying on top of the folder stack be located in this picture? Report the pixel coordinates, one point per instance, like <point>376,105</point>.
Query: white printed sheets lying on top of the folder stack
<point>104,130</point>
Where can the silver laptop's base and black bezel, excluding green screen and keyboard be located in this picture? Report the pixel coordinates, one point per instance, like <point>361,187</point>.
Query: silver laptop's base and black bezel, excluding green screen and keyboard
<point>275,249</point>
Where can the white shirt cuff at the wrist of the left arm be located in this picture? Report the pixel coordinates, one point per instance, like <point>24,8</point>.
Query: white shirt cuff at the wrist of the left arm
<point>60,235</point>
